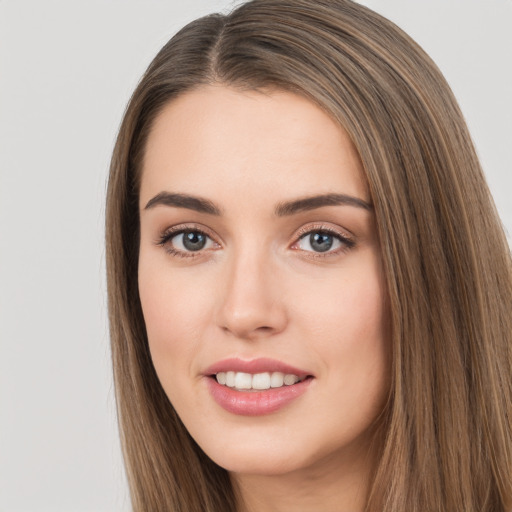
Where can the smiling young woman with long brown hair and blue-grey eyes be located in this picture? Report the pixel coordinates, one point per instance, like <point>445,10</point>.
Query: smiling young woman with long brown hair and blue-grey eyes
<point>309,287</point>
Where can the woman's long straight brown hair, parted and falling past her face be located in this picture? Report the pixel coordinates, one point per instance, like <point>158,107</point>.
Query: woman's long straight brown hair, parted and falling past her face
<point>448,421</point>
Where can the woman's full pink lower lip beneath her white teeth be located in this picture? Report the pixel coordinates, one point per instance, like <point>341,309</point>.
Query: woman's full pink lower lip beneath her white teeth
<point>255,403</point>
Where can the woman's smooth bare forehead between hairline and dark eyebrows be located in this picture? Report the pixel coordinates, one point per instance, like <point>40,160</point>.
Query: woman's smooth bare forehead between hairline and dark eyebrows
<point>222,141</point>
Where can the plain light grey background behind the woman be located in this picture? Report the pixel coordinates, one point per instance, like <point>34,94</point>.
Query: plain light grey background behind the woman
<point>67,69</point>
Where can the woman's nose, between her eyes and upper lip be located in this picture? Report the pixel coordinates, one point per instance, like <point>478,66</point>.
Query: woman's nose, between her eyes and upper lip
<point>252,303</point>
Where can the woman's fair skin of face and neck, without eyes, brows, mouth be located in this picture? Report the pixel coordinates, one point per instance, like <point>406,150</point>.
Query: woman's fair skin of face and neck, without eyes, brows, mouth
<point>258,289</point>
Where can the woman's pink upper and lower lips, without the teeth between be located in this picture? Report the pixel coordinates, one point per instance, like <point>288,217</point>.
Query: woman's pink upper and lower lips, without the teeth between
<point>255,403</point>
